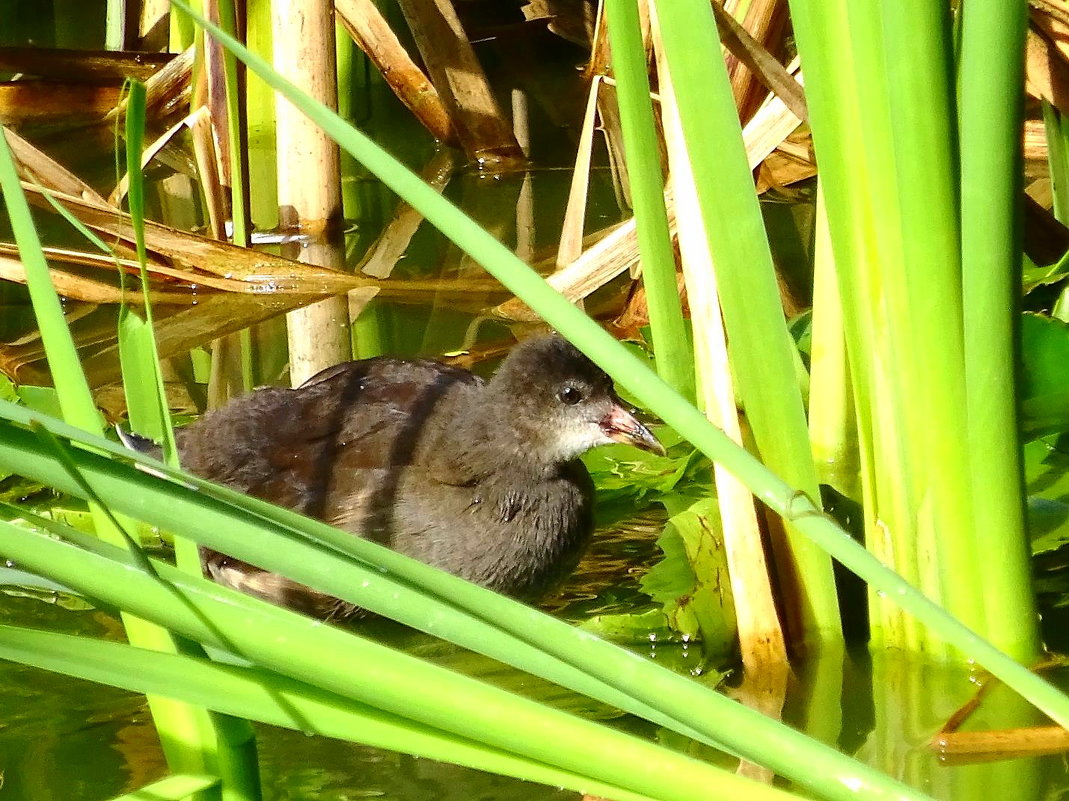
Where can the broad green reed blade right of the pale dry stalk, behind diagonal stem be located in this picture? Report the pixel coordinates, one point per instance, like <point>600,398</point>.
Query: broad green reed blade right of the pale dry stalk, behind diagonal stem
<point>762,349</point>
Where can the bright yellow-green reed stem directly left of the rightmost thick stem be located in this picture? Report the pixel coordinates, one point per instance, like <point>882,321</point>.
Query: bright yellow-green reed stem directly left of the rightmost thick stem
<point>926,307</point>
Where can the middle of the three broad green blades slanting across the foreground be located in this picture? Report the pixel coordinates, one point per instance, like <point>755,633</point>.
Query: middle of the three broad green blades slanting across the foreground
<point>390,681</point>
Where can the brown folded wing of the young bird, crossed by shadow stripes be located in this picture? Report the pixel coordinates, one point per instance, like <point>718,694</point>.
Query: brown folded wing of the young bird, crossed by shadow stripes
<point>338,434</point>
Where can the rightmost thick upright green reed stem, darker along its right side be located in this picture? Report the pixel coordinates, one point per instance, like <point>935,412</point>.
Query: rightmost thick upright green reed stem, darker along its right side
<point>991,76</point>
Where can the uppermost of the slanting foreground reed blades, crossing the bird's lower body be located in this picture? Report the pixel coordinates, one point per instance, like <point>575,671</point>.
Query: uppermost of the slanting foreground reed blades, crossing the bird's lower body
<point>498,626</point>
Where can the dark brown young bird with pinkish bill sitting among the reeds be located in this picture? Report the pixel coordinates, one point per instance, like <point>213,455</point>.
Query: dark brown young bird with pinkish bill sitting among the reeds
<point>478,479</point>
